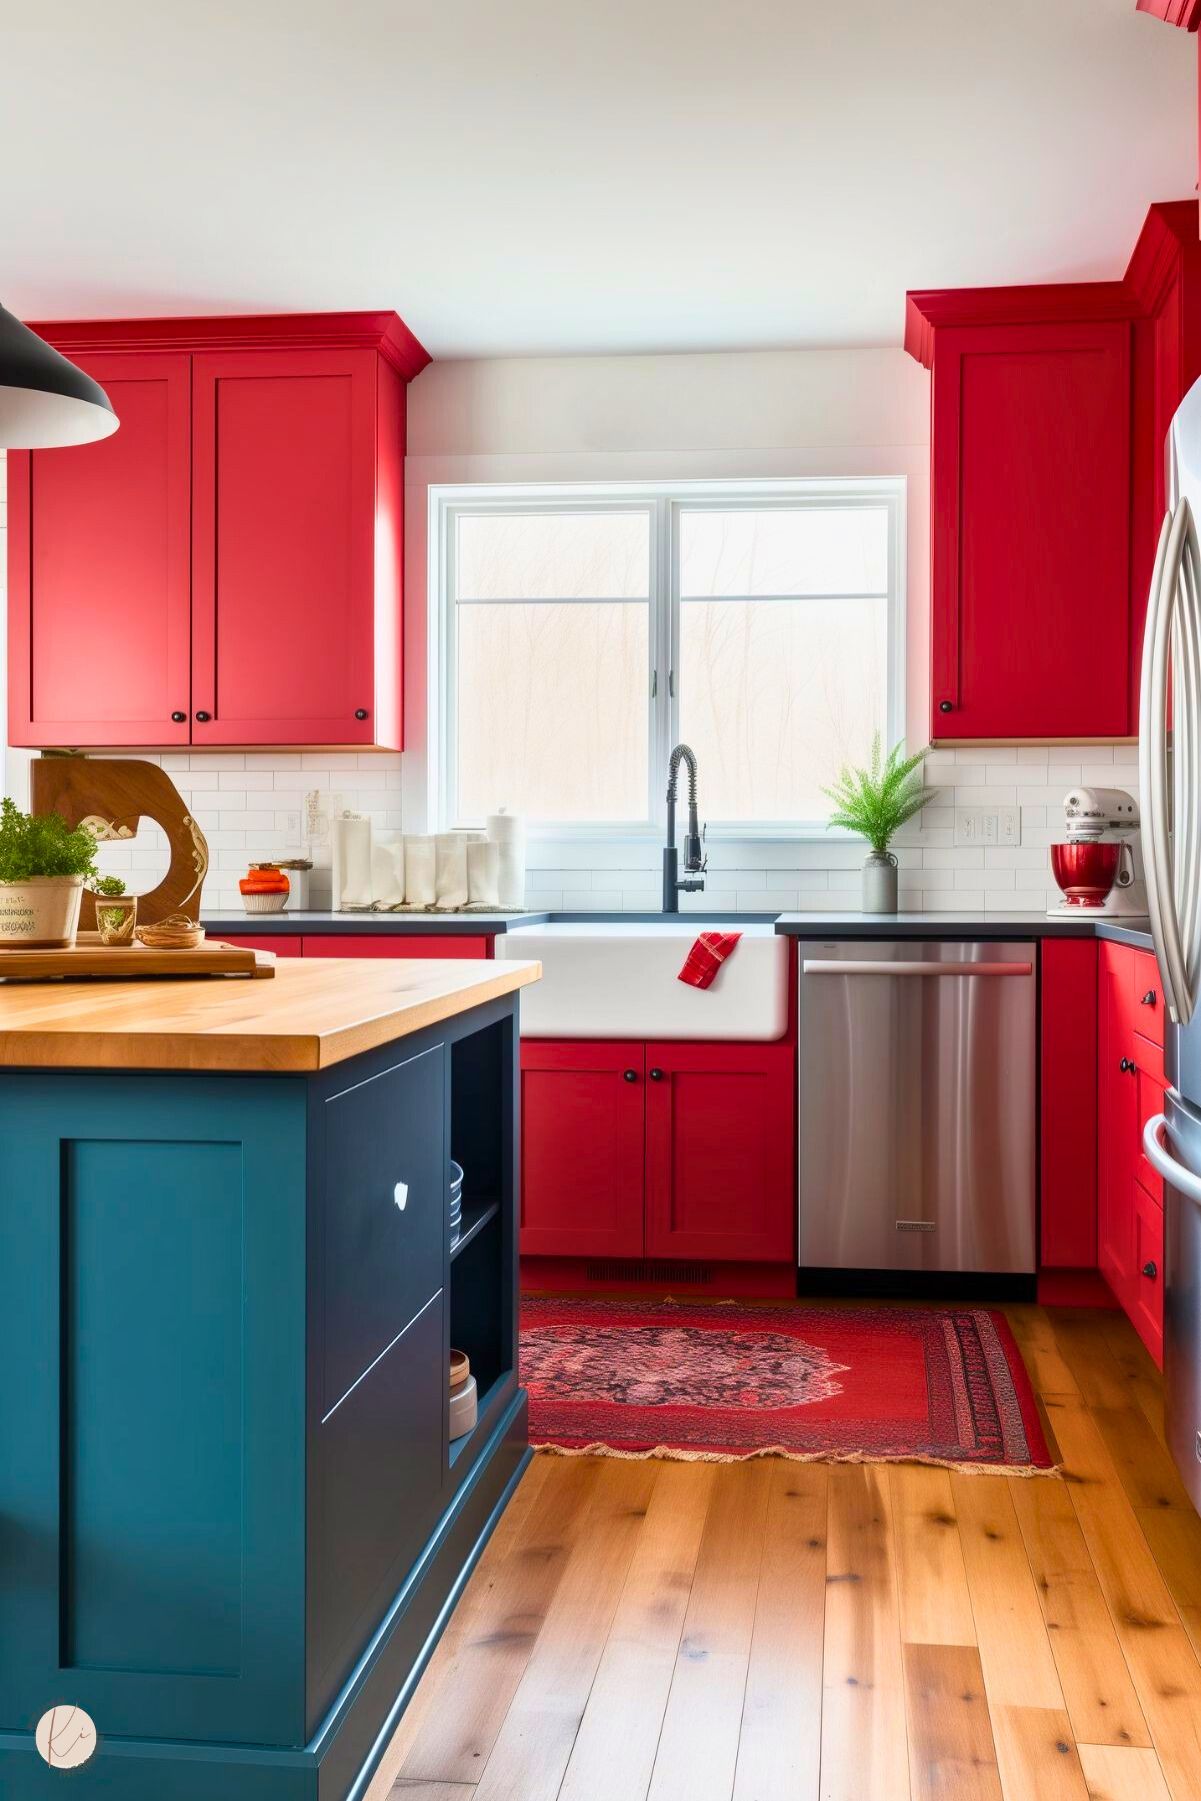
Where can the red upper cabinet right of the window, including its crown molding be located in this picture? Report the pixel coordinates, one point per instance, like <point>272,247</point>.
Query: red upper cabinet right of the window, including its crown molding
<point>1049,413</point>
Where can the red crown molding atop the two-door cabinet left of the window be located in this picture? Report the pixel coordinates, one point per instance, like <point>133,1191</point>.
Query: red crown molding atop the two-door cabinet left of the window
<point>383,332</point>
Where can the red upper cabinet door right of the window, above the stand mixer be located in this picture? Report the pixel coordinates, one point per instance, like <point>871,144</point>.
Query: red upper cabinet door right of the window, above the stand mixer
<point>1031,509</point>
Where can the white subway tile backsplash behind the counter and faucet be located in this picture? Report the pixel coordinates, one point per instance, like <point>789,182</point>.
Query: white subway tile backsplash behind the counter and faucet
<point>257,802</point>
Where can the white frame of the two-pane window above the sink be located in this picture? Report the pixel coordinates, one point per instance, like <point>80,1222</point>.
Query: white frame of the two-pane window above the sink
<point>664,503</point>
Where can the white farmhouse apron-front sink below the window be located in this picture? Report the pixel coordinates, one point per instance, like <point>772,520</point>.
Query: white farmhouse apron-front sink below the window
<point>617,981</point>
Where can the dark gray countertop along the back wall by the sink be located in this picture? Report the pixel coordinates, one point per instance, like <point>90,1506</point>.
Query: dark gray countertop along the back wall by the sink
<point>952,925</point>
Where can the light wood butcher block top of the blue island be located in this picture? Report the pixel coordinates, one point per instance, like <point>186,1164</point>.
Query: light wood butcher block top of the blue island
<point>307,1018</point>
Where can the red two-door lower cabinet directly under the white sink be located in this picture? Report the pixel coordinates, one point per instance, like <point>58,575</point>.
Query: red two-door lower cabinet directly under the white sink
<point>680,1152</point>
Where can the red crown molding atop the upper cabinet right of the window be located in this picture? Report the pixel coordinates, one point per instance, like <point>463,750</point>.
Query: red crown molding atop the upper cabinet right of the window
<point>1171,231</point>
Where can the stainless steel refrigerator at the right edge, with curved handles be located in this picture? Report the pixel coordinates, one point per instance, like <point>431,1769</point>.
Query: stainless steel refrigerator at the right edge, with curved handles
<point>1169,750</point>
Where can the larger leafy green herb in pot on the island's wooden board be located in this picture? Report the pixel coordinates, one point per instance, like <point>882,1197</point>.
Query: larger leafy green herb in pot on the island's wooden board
<point>44,864</point>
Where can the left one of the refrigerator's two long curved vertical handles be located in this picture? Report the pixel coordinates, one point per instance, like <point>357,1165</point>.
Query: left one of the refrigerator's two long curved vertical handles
<point>1153,765</point>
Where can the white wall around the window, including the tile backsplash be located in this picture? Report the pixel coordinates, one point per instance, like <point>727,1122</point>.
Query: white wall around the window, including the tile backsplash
<point>611,419</point>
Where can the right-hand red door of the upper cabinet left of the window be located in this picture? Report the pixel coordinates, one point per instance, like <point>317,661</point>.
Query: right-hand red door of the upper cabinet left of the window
<point>284,547</point>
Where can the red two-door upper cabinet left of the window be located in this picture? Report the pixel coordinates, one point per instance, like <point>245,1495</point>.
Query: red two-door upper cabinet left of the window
<point>233,554</point>
